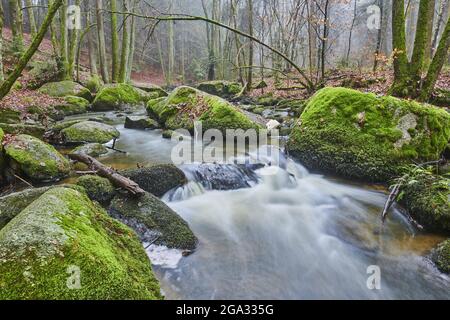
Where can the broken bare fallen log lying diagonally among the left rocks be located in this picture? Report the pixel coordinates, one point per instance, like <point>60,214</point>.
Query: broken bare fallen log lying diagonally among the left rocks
<point>108,173</point>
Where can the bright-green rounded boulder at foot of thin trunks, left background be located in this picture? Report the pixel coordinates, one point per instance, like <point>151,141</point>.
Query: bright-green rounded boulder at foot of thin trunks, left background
<point>116,96</point>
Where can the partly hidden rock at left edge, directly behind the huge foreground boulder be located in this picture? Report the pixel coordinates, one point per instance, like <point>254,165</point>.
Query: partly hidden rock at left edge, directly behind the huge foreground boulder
<point>12,204</point>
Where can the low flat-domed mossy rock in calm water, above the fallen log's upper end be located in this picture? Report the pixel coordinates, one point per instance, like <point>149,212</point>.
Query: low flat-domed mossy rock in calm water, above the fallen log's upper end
<point>89,131</point>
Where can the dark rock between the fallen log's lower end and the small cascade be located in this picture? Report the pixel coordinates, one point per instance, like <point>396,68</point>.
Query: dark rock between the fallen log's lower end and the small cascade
<point>157,179</point>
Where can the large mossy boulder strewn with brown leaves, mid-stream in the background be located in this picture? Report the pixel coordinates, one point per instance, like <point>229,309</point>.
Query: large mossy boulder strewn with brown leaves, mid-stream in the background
<point>186,105</point>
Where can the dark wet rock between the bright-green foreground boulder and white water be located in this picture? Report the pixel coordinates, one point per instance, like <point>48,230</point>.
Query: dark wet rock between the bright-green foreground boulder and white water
<point>153,220</point>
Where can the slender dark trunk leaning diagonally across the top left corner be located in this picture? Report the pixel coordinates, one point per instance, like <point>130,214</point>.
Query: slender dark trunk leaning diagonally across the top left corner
<point>6,86</point>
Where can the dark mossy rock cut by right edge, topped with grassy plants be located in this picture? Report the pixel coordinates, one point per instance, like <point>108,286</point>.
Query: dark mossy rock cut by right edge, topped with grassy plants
<point>427,199</point>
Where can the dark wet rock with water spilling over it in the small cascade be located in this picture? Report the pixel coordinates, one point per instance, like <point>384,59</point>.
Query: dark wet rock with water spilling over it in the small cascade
<point>223,176</point>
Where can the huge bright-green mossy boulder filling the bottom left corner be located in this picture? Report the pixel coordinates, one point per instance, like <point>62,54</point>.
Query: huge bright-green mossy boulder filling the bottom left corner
<point>63,235</point>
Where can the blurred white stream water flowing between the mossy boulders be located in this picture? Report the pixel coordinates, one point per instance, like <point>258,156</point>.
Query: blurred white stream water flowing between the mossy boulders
<point>288,234</point>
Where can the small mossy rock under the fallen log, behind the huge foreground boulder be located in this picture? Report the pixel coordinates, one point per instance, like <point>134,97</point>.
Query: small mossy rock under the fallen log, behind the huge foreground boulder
<point>97,188</point>
